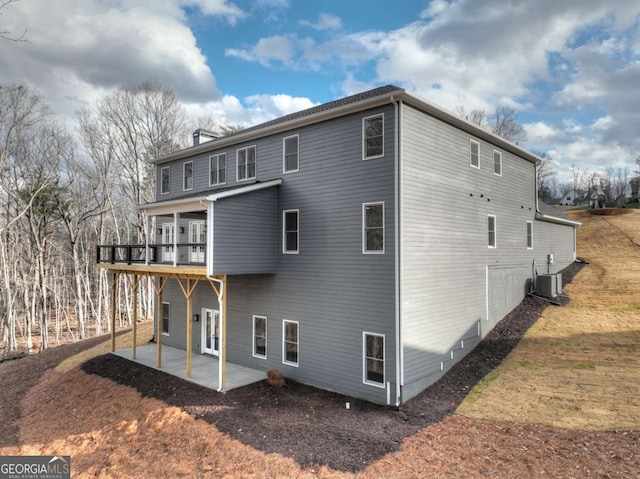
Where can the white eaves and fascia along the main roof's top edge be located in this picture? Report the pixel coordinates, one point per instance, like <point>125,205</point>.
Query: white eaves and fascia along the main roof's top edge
<point>344,107</point>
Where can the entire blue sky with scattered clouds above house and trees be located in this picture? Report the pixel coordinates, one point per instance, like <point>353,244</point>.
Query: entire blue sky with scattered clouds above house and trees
<point>570,68</point>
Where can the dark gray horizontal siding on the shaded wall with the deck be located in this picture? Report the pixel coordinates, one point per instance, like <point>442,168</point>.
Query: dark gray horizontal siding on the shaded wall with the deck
<point>333,290</point>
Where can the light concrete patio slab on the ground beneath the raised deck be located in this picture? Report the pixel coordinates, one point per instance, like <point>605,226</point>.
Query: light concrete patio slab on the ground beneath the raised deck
<point>204,368</point>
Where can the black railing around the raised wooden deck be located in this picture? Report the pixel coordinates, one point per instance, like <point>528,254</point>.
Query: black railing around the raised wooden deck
<point>187,254</point>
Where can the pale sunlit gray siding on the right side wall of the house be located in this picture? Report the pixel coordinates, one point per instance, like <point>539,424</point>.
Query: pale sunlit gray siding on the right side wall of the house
<point>445,258</point>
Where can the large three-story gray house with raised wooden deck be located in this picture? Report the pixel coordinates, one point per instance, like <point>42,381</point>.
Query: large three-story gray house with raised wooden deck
<point>362,246</point>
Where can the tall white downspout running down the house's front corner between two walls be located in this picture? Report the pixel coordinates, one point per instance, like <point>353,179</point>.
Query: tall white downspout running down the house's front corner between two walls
<point>397,253</point>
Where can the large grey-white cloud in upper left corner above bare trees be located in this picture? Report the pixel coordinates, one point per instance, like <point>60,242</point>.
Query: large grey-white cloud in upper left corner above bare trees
<point>80,50</point>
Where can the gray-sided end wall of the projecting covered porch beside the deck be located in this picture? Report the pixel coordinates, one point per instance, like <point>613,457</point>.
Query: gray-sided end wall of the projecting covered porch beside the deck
<point>245,233</point>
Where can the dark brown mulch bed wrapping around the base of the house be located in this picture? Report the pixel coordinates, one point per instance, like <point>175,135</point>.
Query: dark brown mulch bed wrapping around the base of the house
<point>313,426</point>
